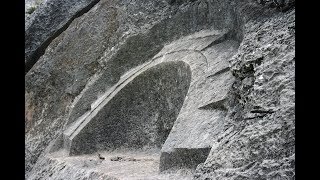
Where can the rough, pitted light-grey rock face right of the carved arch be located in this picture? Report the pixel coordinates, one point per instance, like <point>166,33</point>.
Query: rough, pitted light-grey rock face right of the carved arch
<point>259,142</point>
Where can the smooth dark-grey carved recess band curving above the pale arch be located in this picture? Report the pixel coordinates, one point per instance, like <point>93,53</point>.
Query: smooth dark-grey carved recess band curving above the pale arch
<point>142,47</point>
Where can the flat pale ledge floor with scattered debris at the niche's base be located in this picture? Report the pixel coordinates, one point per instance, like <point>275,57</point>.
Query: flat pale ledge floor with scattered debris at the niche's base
<point>133,165</point>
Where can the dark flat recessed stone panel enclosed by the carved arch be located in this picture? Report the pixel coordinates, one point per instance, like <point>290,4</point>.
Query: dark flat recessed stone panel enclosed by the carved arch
<point>141,115</point>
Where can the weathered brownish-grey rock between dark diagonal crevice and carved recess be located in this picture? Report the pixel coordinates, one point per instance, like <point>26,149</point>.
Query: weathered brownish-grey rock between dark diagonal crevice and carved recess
<point>51,87</point>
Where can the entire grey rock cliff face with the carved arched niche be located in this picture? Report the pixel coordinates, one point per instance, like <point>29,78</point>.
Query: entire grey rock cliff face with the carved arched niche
<point>197,89</point>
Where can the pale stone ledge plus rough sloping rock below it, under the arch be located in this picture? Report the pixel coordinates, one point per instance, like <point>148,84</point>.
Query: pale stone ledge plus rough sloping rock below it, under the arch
<point>90,167</point>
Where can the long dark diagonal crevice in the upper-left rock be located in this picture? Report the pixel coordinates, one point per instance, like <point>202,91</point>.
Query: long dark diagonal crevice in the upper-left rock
<point>34,57</point>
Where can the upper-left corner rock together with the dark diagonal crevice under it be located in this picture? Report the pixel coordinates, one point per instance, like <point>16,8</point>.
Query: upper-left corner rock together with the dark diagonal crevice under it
<point>47,22</point>
